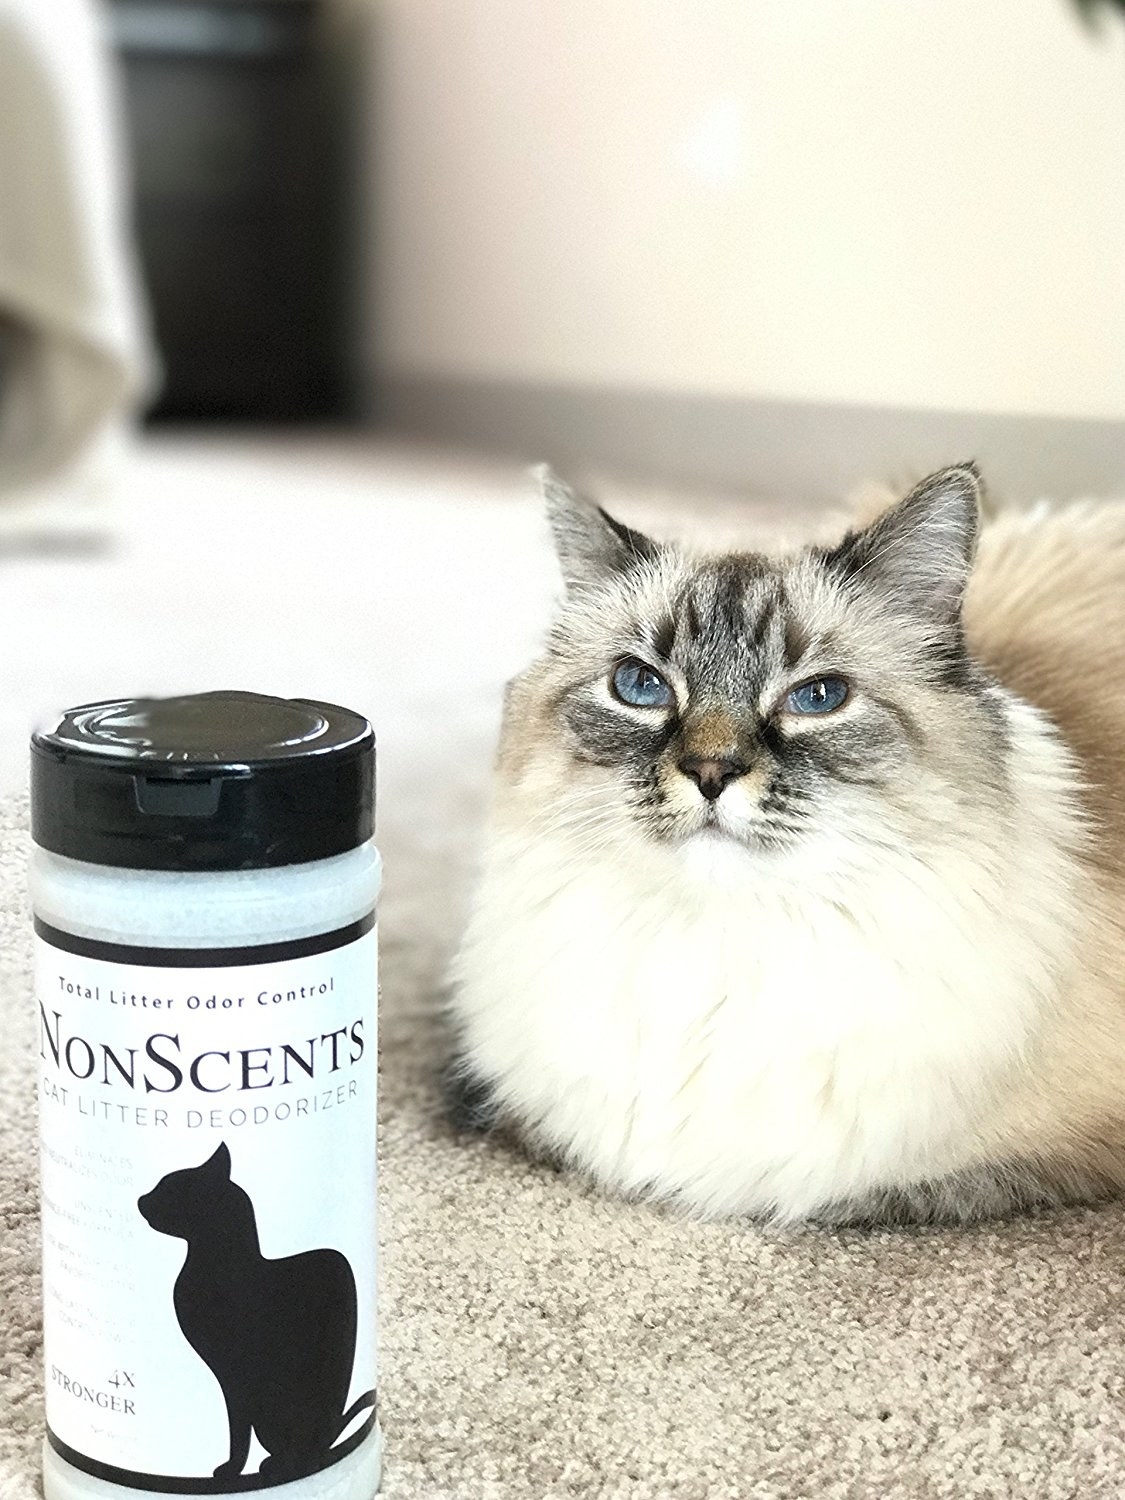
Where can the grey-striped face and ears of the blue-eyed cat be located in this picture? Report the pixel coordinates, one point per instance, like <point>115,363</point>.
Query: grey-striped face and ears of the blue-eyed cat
<point>758,701</point>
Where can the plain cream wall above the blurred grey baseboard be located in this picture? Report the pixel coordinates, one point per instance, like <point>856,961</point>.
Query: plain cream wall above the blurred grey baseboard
<point>878,202</point>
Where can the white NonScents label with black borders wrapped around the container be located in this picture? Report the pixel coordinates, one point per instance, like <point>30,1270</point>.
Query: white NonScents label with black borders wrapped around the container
<point>209,1208</point>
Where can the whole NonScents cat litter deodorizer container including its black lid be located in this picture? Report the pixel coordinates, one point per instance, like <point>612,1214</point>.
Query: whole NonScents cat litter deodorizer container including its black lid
<point>205,892</point>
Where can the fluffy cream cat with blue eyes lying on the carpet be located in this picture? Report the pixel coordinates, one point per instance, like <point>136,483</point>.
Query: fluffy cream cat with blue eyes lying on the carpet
<point>803,895</point>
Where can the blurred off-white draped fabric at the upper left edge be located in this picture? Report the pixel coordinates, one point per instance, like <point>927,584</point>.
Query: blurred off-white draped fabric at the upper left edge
<point>74,353</point>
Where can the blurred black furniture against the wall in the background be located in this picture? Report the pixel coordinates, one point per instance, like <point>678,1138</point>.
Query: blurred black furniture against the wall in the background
<point>236,173</point>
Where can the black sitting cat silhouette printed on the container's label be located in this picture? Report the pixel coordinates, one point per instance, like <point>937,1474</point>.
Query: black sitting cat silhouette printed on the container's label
<point>278,1336</point>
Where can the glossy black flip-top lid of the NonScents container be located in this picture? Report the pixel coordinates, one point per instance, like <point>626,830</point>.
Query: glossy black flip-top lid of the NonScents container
<point>208,782</point>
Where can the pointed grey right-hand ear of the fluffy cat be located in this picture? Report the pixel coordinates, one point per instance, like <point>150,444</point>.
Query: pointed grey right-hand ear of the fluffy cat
<point>920,553</point>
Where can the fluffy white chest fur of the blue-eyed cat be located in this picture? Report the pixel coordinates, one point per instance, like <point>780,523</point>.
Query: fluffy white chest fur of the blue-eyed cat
<point>698,1028</point>
